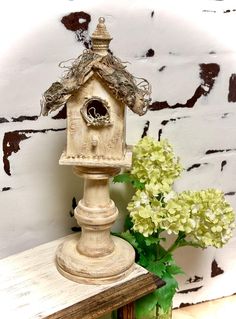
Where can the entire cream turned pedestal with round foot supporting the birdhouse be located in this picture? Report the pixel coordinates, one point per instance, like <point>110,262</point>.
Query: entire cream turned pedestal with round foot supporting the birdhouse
<point>94,256</point>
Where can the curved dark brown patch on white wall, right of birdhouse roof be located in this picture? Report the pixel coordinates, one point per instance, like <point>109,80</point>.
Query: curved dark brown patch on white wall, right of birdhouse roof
<point>208,74</point>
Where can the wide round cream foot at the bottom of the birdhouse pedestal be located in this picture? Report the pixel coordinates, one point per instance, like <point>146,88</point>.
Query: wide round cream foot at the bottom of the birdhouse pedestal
<point>95,270</point>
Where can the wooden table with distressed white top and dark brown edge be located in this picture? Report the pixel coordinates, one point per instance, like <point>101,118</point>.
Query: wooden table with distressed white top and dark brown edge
<point>31,287</point>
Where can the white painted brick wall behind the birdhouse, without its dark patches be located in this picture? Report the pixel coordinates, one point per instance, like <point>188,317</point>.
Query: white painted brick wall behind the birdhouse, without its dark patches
<point>33,42</point>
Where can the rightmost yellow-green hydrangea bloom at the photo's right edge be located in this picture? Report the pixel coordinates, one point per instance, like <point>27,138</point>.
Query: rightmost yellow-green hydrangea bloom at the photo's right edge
<point>213,216</point>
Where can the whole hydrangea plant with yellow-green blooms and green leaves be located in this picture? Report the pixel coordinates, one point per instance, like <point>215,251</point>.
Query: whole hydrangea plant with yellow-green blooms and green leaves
<point>196,218</point>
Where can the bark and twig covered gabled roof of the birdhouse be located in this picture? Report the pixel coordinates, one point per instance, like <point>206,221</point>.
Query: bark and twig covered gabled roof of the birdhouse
<point>133,92</point>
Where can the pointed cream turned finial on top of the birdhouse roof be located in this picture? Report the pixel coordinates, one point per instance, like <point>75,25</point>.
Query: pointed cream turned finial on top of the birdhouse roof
<point>101,38</point>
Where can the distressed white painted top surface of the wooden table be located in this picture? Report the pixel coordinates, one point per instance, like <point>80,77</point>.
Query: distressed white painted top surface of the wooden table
<point>31,287</point>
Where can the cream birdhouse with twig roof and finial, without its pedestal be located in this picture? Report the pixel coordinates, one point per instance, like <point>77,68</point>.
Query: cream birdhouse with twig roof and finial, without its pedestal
<point>96,91</point>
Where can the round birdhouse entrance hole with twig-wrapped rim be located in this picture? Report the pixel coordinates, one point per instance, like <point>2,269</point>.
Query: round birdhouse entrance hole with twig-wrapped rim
<point>96,112</point>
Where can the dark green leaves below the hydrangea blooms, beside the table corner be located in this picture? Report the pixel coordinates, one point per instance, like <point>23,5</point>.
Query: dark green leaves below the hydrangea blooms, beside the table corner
<point>152,256</point>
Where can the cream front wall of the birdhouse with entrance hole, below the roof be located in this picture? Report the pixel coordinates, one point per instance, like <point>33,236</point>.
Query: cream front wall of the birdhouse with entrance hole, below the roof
<point>95,124</point>
